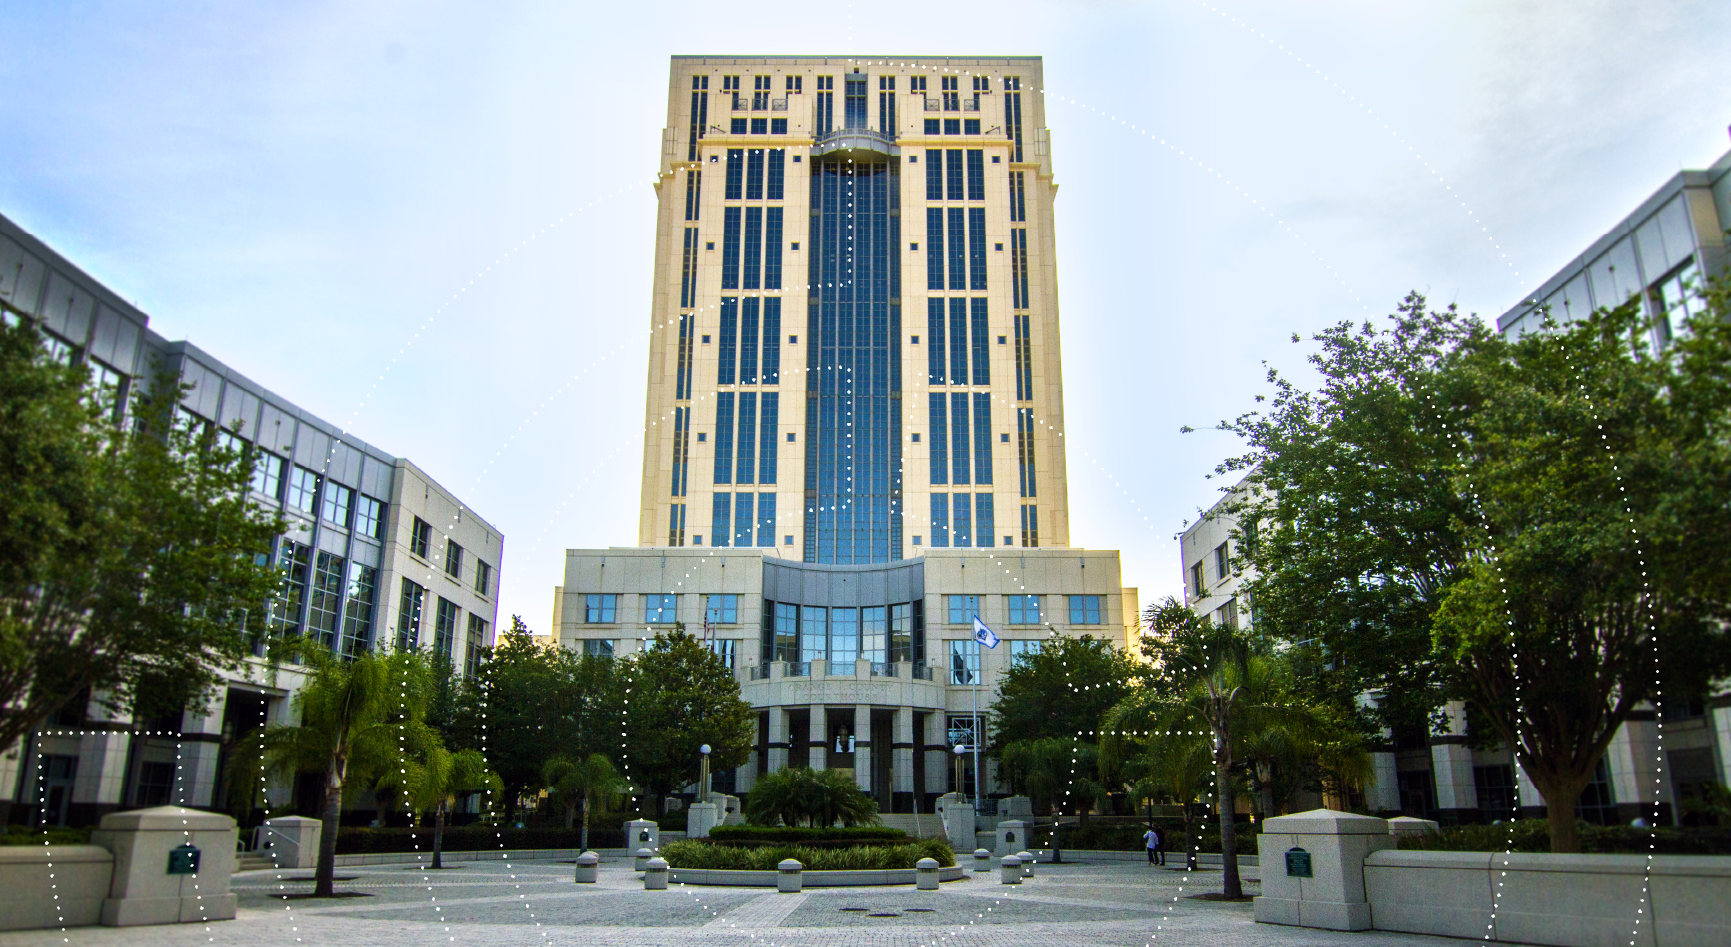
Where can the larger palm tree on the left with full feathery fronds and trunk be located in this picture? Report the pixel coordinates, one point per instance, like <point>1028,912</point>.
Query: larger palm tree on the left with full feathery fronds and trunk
<point>357,718</point>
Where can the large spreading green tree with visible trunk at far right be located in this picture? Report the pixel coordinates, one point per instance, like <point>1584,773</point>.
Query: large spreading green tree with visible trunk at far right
<point>1540,527</point>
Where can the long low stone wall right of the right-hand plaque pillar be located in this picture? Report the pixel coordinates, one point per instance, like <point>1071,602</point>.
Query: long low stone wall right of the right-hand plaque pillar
<point>1566,901</point>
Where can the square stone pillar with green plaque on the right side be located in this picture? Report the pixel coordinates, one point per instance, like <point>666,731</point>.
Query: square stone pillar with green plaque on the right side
<point>1313,868</point>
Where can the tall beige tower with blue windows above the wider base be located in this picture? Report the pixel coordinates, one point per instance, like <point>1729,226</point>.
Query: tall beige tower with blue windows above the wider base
<point>856,311</point>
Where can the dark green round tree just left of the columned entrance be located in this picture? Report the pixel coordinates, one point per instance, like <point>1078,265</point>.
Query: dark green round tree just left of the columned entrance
<point>678,697</point>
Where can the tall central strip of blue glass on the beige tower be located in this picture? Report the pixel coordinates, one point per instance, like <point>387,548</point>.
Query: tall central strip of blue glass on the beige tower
<point>854,390</point>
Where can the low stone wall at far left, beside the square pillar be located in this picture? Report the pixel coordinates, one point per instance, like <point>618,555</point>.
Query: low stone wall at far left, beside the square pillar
<point>72,899</point>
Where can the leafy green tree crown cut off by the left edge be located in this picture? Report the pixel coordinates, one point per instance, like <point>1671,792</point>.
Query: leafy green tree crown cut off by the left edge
<point>131,557</point>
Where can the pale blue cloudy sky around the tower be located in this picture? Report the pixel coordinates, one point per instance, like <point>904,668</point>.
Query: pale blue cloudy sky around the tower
<point>354,203</point>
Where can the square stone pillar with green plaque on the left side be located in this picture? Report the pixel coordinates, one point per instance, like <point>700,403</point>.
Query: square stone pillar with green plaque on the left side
<point>172,866</point>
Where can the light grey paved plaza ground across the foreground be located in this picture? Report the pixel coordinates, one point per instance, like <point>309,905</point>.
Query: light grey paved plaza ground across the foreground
<point>536,905</point>
